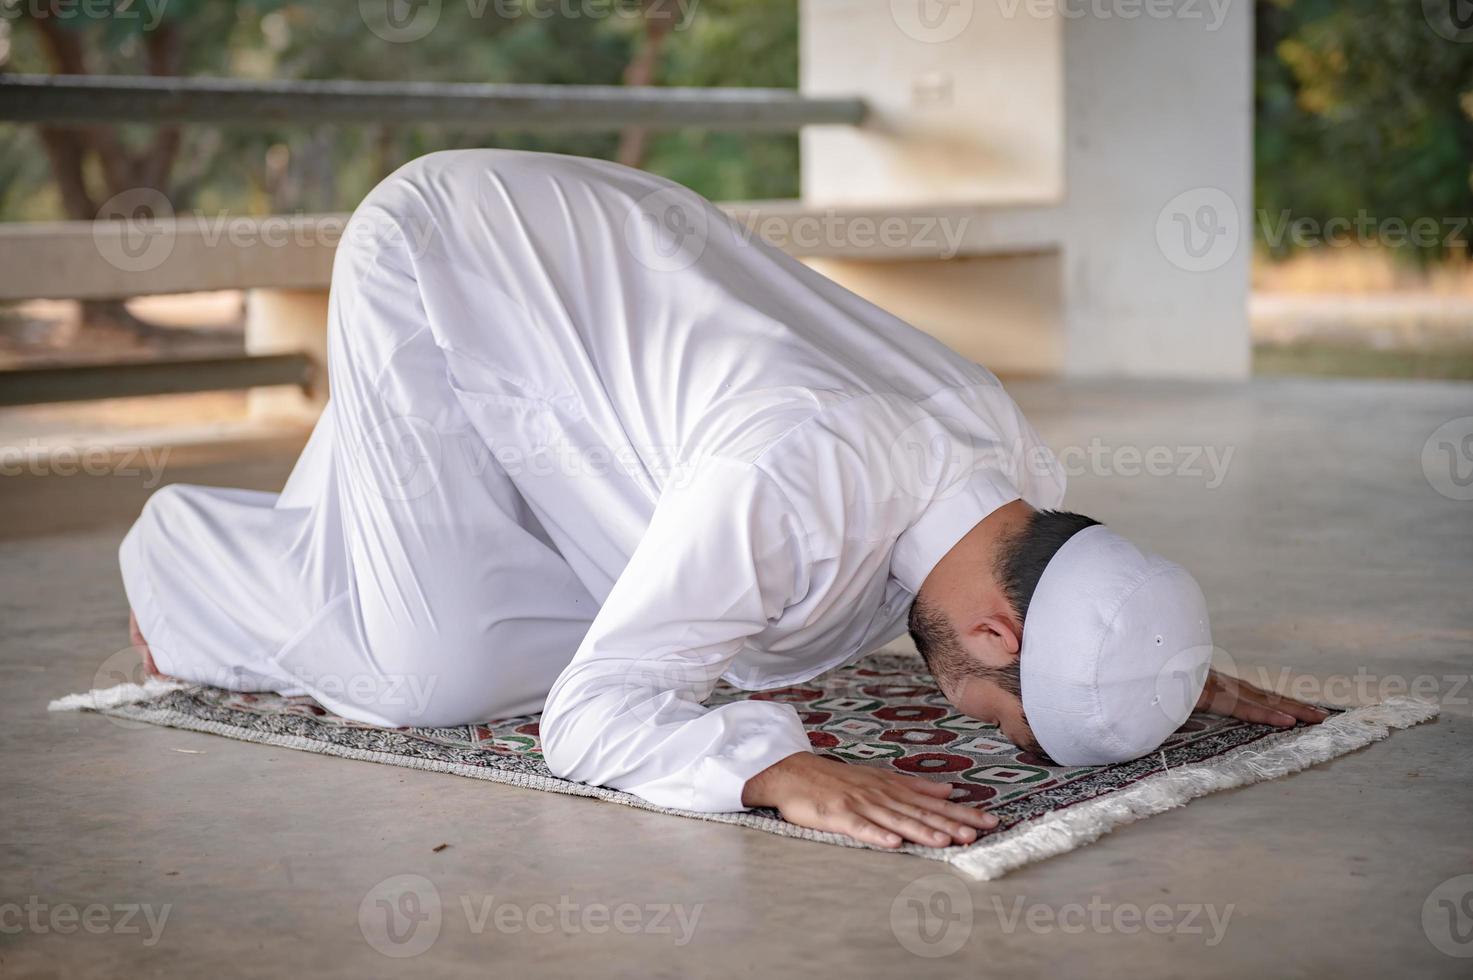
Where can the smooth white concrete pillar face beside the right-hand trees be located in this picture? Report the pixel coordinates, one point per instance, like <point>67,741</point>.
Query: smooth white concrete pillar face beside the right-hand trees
<point>1159,169</point>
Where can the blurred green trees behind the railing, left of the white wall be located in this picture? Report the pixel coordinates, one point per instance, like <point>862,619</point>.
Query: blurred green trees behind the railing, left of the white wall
<point>331,167</point>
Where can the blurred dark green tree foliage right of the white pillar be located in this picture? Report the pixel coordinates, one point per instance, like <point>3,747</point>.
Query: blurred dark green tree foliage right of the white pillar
<point>1363,110</point>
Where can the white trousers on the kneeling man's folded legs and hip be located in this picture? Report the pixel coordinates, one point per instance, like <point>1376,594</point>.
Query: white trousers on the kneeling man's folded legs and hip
<point>390,584</point>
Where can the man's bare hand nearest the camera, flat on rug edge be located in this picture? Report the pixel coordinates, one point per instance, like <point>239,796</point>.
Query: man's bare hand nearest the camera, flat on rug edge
<point>867,804</point>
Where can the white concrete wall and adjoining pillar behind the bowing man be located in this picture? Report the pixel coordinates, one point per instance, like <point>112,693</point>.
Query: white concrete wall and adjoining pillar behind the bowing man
<point>1132,117</point>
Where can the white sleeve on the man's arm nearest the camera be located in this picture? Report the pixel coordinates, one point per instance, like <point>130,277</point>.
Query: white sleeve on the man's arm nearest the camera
<point>723,558</point>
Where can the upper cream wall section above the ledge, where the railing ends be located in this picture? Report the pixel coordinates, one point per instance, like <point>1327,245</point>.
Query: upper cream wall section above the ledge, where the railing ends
<point>967,104</point>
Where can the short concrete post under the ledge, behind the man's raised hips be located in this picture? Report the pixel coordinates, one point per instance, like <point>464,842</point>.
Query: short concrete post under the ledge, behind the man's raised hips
<point>288,321</point>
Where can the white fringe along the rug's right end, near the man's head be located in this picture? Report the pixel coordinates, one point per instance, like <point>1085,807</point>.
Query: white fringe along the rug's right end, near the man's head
<point>1281,755</point>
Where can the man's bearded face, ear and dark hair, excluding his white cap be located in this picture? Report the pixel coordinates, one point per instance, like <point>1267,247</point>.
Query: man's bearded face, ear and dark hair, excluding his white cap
<point>982,676</point>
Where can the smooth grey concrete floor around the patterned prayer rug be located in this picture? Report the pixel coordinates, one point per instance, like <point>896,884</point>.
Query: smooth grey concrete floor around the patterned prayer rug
<point>1325,549</point>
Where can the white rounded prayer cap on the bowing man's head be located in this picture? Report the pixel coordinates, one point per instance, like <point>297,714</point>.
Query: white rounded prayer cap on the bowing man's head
<point>1116,651</point>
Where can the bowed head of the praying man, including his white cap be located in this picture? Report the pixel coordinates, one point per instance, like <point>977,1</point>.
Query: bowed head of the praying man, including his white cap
<point>1079,645</point>
